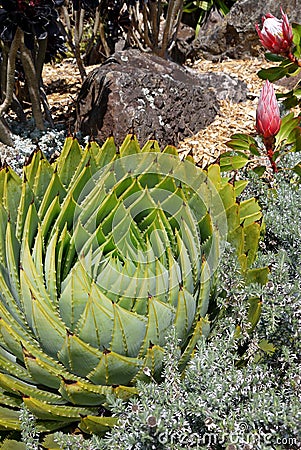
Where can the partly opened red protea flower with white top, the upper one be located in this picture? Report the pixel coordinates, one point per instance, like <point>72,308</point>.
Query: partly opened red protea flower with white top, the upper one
<point>276,35</point>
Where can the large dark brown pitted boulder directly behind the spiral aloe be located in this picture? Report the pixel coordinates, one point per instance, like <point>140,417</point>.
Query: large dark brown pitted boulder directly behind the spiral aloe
<point>151,96</point>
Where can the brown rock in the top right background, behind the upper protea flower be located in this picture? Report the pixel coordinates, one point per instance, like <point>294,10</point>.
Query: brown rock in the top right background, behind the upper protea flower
<point>235,36</point>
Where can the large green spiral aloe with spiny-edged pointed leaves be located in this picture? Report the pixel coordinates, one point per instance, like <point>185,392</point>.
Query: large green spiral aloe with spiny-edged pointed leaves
<point>101,253</point>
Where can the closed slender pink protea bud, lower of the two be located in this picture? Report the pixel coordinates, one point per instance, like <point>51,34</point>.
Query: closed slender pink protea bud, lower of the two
<point>268,119</point>
